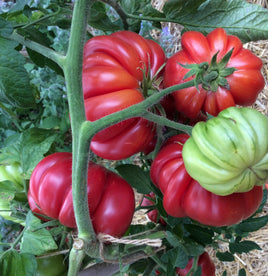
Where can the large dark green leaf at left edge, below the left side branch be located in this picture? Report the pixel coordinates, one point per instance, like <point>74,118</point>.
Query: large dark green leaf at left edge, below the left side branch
<point>15,88</point>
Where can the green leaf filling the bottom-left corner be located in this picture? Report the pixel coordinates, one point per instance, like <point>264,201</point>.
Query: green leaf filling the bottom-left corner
<point>13,263</point>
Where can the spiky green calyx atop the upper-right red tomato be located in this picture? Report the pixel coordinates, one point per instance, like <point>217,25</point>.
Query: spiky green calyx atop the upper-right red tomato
<point>212,75</point>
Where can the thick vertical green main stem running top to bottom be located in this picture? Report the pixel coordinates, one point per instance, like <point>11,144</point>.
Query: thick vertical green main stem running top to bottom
<point>72,68</point>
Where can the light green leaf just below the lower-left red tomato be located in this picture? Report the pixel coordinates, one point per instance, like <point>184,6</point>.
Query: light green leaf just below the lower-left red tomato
<point>35,241</point>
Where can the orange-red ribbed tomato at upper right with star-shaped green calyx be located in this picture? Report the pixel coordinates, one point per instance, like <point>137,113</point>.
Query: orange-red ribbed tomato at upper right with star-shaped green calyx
<point>242,87</point>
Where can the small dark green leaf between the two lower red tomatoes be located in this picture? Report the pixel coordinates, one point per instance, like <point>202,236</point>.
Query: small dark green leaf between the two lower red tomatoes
<point>136,177</point>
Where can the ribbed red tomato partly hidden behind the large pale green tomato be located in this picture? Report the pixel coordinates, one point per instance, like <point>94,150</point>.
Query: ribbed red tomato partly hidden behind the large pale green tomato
<point>185,197</point>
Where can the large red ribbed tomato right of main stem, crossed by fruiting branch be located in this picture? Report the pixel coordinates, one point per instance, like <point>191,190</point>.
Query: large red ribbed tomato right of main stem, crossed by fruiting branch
<point>114,69</point>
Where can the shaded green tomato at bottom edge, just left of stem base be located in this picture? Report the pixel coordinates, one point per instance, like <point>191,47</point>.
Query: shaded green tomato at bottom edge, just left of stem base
<point>51,266</point>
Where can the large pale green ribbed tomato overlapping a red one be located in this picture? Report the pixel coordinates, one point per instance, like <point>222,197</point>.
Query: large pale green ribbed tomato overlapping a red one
<point>229,153</point>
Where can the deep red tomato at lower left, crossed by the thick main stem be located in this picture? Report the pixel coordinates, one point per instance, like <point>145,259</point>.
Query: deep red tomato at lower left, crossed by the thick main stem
<point>111,199</point>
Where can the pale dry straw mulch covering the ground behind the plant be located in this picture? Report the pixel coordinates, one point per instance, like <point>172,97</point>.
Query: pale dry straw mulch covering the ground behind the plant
<point>254,262</point>
